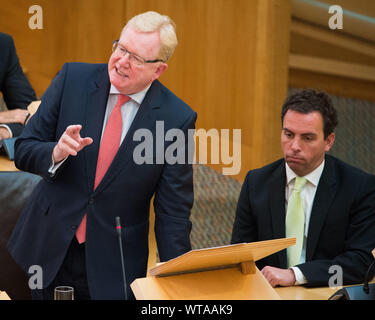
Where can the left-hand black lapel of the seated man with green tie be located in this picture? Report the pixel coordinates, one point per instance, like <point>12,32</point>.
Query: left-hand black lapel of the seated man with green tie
<point>276,199</point>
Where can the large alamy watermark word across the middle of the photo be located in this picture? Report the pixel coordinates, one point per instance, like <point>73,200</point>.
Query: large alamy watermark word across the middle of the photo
<point>183,147</point>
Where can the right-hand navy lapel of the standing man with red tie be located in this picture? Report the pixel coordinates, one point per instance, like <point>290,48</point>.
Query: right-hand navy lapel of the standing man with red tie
<point>144,119</point>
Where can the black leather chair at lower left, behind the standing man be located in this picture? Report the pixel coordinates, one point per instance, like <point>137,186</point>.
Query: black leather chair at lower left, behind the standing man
<point>15,188</point>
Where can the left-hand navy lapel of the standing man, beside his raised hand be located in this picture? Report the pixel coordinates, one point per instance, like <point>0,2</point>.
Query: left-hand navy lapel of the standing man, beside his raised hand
<point>97,97</point>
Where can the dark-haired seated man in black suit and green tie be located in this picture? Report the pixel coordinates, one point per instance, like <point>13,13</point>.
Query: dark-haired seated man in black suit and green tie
<point>328,205</point>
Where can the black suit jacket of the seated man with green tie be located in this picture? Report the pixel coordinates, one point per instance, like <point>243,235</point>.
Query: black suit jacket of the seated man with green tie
<point>342,223</point>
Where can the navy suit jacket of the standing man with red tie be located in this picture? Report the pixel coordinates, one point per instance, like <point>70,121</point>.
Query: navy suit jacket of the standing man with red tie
<point>78,95</point>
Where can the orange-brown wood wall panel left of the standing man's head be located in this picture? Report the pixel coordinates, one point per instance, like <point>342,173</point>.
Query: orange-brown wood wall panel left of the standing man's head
<point>72,31</point>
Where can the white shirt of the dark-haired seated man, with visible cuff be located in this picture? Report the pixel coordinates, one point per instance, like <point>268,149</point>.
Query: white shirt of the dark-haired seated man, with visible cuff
<point>307,197</point>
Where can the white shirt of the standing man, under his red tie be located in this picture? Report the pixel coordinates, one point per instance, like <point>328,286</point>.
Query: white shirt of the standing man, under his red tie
<point>128,112</point>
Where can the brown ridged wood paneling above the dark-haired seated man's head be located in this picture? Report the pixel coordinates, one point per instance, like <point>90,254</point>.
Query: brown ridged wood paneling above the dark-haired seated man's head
<point>327,60</point>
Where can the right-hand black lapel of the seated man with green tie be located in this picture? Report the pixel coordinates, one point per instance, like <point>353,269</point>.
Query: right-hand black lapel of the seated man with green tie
<point>323,198</point>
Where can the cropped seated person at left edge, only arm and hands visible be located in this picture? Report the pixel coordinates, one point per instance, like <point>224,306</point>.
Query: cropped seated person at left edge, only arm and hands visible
<point>16,89</point>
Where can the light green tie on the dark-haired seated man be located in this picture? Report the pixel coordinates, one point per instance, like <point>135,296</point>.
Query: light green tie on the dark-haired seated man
<point>295,222</point>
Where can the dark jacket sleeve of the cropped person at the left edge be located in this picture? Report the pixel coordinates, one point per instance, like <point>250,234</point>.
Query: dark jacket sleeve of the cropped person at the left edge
<point>16,89</point>
